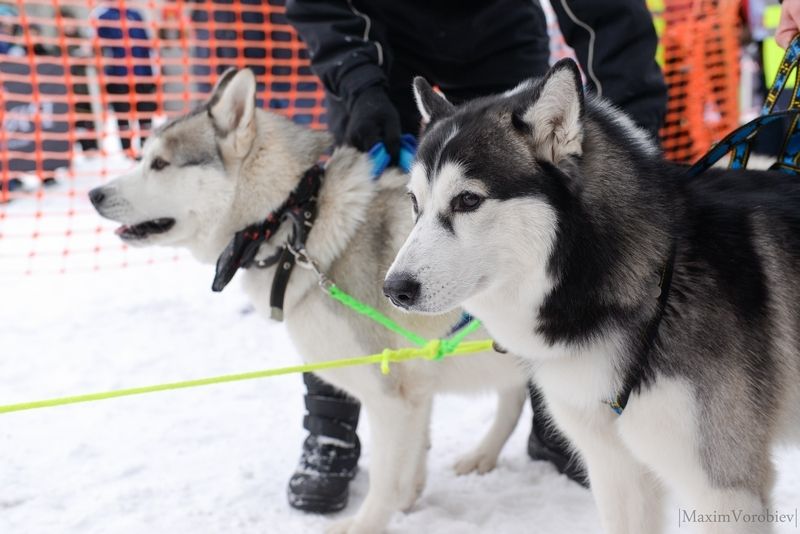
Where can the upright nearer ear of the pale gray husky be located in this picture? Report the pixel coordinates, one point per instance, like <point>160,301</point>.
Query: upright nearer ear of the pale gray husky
<point>232,110</point>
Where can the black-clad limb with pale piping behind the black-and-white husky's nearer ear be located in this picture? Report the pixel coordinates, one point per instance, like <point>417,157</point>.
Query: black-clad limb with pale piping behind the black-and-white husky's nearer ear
<point>616,42</point>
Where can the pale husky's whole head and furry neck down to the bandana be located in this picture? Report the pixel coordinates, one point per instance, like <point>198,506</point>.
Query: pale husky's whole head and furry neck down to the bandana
<point>193,171</point>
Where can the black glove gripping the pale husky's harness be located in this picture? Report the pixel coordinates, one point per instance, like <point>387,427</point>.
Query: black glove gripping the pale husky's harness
<point>373,118</point>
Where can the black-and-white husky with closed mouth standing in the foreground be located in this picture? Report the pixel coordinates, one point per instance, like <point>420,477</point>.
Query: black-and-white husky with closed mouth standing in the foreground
<point>551,217</point>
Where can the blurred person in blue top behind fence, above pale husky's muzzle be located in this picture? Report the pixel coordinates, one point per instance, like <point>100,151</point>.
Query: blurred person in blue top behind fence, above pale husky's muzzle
<point>120,49</point>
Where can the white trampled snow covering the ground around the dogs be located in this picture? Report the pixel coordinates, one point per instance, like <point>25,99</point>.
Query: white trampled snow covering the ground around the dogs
<point>213,459</point>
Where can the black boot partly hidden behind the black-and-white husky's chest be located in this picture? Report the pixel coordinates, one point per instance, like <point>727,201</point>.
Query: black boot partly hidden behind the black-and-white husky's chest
<point>548,444</point>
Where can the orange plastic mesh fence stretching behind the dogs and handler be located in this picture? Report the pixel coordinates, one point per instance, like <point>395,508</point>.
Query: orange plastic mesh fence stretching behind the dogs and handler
<point>81,86</point>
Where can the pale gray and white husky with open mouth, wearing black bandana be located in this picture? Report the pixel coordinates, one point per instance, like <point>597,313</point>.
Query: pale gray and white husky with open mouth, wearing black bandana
<point>211,173</point>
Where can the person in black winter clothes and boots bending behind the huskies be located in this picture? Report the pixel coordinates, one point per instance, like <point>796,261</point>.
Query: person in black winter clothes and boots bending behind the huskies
<point>367,53</point>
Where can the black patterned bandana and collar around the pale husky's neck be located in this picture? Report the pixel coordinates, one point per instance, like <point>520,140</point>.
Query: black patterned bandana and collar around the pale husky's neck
<point>301,209</point>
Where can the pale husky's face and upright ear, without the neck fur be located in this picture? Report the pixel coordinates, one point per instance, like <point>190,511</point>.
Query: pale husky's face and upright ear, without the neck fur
<point>182,177</point>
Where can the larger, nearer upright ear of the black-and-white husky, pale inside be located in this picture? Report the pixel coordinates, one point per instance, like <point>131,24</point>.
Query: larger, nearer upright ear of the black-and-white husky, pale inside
<point>555,115</point>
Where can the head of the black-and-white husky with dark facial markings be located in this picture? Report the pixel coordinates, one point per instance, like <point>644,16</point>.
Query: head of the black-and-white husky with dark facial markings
<point>490,183</point>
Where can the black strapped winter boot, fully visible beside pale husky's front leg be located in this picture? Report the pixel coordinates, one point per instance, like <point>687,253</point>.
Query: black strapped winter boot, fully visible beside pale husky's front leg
<point>329,460</point>
